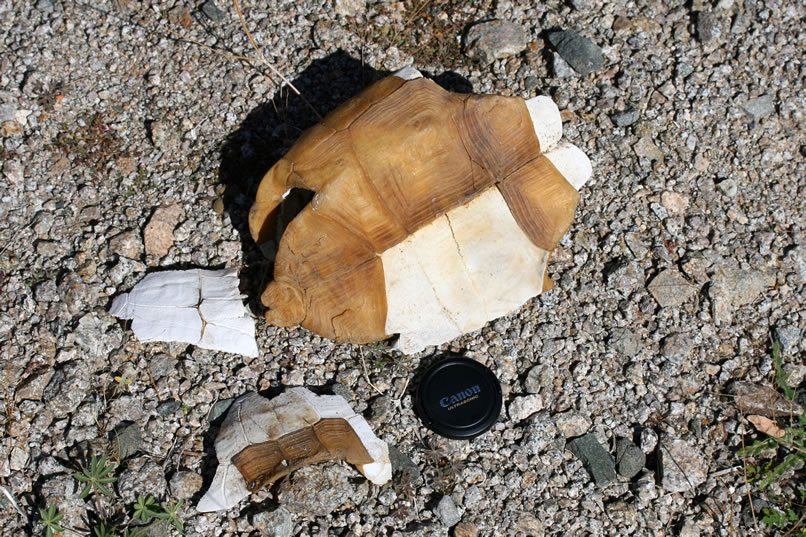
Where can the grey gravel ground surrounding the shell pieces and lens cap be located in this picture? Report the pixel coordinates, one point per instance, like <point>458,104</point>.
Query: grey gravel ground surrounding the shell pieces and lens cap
<point>686,256</point>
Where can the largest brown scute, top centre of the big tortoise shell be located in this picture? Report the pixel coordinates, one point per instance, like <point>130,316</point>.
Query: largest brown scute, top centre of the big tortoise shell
<point>408,145</point>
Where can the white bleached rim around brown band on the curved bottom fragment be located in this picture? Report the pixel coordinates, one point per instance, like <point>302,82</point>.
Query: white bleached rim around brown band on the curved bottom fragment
<point>253,419</point>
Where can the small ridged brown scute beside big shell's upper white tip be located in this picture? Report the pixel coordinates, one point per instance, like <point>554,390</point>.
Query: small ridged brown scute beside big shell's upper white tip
<point>498,133</point>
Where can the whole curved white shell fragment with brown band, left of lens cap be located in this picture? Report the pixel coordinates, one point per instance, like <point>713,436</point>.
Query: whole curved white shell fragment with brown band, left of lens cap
<point>262,440</point>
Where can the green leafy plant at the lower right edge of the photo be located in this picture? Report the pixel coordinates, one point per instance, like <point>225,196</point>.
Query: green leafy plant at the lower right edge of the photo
<point>788,452</point>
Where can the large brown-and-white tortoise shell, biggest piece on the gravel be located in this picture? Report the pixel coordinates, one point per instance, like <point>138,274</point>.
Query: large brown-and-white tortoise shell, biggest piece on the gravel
<point>434,213</point>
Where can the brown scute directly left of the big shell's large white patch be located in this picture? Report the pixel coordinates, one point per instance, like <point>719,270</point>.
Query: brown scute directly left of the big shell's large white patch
<point>350,308</point>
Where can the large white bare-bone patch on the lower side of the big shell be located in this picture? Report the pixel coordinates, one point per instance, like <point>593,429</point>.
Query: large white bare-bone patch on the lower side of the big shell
<point>468,266</point>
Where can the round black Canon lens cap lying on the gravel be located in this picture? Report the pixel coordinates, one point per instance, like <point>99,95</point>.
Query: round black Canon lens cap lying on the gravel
<point>459,398</point>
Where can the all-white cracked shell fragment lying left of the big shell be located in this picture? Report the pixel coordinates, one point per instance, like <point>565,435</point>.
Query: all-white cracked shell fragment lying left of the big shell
<point>200,307</point>
